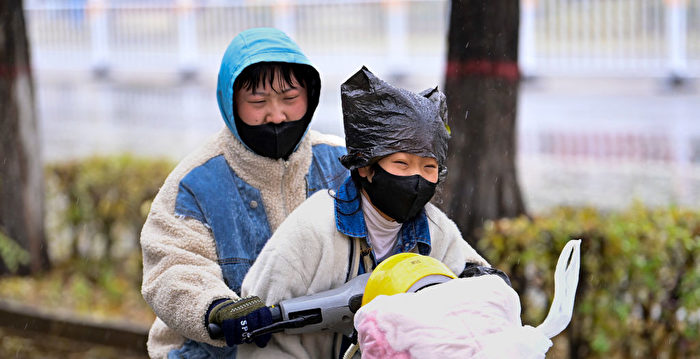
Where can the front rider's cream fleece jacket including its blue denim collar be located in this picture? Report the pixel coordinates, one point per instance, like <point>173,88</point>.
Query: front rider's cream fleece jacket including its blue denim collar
<point>310,251</point>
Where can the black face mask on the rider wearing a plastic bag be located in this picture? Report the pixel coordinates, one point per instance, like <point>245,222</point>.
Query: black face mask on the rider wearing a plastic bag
<point>399,197</point>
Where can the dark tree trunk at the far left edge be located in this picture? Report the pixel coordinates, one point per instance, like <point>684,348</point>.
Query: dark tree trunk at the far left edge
<point>21,177</point>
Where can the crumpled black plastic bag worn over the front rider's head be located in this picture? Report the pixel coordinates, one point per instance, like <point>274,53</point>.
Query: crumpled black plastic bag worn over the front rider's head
<point>381,119</point>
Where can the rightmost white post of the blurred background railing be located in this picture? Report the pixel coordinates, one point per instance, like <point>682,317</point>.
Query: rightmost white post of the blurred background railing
<point>676,31</point>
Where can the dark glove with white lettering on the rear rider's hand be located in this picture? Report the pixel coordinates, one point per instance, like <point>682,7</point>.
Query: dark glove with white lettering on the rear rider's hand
<point>237,318</point>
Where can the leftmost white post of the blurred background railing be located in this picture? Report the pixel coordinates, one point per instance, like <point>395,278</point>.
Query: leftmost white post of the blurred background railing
<point>99,37</point>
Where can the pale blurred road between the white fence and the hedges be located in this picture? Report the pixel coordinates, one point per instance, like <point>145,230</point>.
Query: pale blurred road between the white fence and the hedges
<point>570,132</point>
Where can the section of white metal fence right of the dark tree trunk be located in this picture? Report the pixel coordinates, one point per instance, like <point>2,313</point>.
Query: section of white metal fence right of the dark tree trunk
<point>611,37</point>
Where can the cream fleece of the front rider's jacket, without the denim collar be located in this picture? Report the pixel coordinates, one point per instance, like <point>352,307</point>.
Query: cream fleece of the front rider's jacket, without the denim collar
<point>307,255</point>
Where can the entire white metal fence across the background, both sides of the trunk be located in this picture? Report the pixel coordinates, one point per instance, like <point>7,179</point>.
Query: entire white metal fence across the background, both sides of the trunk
<point>573,37</point>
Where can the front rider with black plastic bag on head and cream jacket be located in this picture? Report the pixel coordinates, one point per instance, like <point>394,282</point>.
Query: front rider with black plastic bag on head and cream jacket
<point>397,147</point>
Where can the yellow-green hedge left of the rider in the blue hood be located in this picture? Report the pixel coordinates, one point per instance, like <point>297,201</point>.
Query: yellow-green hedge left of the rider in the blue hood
<point>97,206</point>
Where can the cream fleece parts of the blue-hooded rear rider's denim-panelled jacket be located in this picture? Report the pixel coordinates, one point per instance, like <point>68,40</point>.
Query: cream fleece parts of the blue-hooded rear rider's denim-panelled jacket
<point>181,276</point>
